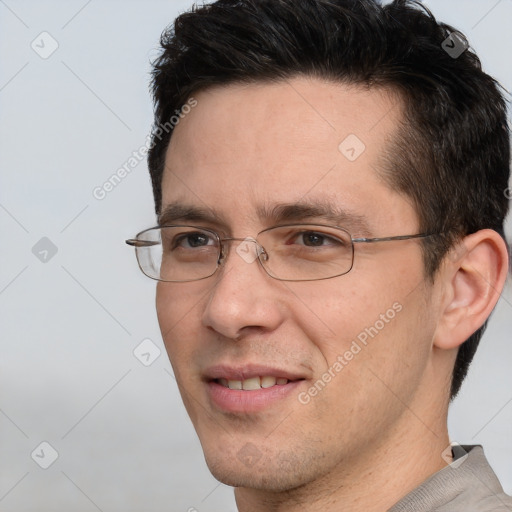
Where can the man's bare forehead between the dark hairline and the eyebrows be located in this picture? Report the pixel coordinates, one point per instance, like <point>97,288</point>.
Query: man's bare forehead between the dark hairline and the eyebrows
<point>245,147</point>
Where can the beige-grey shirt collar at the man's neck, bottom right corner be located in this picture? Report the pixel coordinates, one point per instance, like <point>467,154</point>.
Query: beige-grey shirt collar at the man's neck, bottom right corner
<point>467,485</point>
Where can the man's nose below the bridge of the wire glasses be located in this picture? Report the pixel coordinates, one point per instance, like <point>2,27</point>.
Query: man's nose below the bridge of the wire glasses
<point>245,299</point>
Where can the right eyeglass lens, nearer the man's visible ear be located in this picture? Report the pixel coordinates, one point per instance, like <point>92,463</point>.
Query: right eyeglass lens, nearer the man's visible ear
<point>306,252</point>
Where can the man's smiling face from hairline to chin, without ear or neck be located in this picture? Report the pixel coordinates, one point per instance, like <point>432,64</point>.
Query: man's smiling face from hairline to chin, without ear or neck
<point>354,351</point>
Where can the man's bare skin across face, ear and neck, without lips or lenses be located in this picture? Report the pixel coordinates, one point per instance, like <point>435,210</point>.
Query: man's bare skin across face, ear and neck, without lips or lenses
<point>378,428</point>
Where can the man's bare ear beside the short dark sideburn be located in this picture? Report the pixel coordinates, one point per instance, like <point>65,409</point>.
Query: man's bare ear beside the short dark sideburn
<point>473,275</point>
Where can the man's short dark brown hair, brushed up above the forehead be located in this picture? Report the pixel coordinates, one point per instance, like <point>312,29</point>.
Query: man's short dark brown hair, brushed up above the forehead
<point>451,155</point>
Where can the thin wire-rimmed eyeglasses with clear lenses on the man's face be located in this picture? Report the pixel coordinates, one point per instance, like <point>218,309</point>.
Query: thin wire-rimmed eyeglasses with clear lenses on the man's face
<point>291,252</point>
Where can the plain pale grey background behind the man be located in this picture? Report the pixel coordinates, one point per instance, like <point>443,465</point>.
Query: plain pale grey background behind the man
<point>68,375</point>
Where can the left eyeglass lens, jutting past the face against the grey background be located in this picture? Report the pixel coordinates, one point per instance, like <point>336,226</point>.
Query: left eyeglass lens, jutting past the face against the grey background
<point>178,253</point>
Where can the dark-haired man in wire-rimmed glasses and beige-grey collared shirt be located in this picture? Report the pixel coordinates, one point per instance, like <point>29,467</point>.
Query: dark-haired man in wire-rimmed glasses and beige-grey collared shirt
<point>329,248</point>
